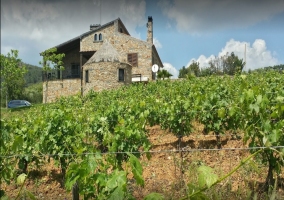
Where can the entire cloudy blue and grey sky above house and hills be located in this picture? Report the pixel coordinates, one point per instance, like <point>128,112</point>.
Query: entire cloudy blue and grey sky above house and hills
<point>184,30</point>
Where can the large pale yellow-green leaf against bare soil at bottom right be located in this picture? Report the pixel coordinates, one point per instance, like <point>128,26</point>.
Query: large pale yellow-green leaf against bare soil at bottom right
<point>206,177</point>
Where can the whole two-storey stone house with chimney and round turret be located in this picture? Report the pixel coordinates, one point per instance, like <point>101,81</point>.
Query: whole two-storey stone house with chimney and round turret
<point>105,57</point>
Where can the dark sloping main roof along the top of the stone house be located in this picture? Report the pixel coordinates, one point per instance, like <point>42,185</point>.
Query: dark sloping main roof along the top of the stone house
<point>75,42</point>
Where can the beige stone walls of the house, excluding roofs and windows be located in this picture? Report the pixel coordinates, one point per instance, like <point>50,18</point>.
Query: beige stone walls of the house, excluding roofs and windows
<point>104,75</point>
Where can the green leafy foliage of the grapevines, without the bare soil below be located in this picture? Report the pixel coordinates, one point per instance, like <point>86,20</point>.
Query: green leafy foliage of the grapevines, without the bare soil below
<point>96,139</point>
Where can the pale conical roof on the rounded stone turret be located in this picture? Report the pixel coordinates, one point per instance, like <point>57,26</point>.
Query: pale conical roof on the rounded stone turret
<point>106,53</point>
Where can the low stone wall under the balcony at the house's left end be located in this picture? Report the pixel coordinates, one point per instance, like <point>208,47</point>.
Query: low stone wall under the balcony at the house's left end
<point>58,88</point>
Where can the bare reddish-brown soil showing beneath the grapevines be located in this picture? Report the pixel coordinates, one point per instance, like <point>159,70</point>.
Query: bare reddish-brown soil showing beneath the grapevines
<point>168,172</point>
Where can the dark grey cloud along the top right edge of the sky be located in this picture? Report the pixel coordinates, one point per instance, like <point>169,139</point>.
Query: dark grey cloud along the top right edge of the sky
<point>207,15</point>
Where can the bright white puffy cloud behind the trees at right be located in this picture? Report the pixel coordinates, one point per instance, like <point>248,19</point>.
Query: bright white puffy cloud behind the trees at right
<point>257,54</point>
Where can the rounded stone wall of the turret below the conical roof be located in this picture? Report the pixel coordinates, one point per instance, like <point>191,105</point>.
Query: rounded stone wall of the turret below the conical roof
<point>104,76</point>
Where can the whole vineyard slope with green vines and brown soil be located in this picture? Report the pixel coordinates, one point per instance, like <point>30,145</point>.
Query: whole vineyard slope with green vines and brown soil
<point>204,134</point>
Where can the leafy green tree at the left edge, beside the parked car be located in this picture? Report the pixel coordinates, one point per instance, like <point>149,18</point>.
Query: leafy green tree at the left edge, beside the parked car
<point>12,76</point>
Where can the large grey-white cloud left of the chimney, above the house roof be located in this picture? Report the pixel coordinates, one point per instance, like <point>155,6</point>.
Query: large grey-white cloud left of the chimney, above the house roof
<point>40,24</point>
